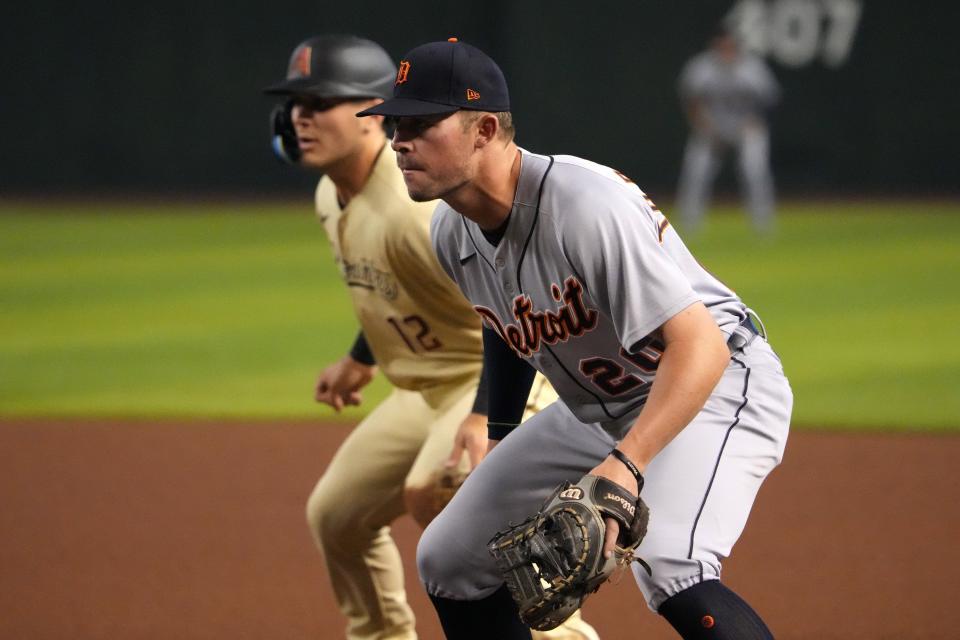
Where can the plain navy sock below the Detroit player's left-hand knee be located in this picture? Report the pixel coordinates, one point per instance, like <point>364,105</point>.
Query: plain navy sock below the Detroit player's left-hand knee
<point>495,616</point>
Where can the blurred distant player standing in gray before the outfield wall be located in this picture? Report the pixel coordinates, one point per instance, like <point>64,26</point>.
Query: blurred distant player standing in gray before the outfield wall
<point>726,94</point>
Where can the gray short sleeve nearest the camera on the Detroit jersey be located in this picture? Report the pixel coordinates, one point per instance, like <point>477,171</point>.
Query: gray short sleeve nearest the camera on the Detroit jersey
<point>615,243</point>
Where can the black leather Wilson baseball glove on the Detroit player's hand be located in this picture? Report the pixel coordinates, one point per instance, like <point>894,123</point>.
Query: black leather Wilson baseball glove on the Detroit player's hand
<point>554,560</point>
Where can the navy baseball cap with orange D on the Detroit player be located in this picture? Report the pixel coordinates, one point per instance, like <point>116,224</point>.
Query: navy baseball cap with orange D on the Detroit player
<point>443,77</point>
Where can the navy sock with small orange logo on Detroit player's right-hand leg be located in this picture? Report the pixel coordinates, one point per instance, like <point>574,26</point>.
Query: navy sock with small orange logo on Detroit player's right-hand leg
<point>711,611</point>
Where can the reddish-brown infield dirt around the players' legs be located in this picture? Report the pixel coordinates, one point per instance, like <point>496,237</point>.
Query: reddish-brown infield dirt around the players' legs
<point>196,530</point>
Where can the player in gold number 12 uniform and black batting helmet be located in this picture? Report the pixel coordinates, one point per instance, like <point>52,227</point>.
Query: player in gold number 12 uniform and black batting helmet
<point>415,326</point>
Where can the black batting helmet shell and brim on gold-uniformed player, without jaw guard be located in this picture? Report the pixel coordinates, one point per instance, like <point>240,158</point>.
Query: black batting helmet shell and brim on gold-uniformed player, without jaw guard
<point>338,66</point>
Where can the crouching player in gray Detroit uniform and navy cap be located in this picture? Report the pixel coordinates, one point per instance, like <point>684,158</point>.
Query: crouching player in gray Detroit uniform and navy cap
<point>578,275</point>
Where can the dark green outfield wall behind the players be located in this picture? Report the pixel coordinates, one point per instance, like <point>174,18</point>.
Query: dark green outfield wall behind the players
<point>164,97</point>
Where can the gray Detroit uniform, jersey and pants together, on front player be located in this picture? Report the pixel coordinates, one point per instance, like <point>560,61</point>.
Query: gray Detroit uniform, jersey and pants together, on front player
<point>585,273</point>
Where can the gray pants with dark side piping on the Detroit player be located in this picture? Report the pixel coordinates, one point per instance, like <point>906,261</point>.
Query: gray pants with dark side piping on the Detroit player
<point>699,488</point>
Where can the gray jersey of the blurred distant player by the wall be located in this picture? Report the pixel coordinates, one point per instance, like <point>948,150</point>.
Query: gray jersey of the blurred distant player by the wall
<point>731,93</point>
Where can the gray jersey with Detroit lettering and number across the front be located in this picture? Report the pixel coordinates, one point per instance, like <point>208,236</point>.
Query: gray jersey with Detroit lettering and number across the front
<point>586,272</point>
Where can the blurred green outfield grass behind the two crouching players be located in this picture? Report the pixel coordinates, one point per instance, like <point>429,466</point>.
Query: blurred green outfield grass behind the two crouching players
<point>214,311</point>
